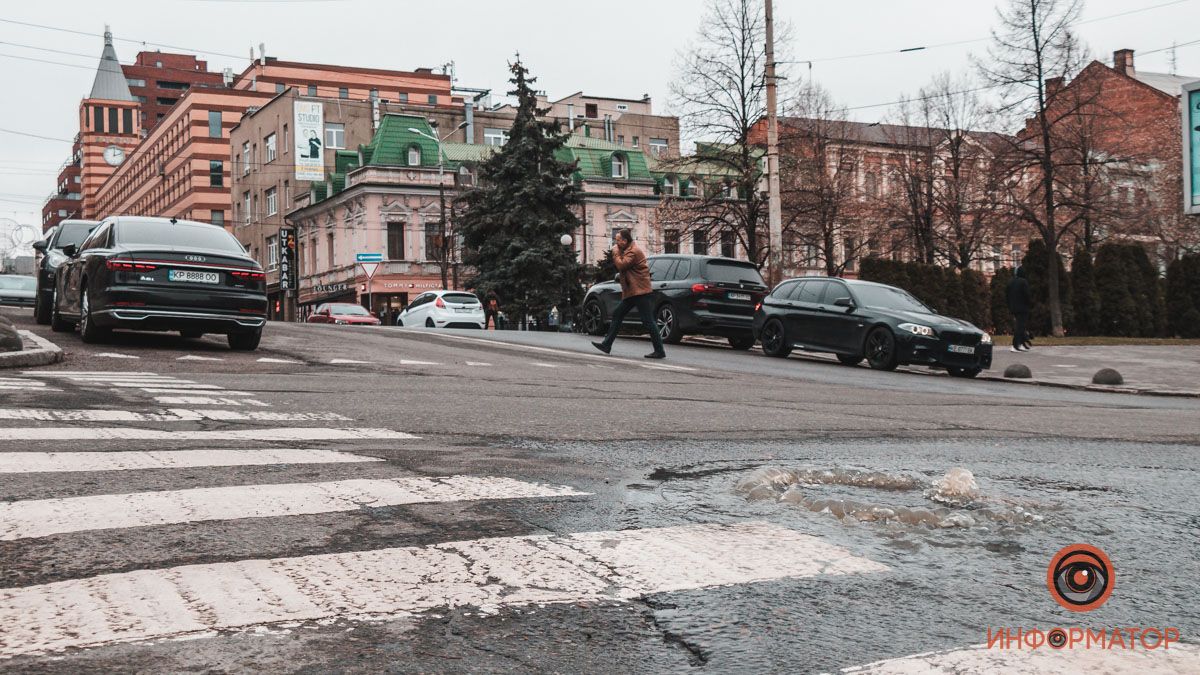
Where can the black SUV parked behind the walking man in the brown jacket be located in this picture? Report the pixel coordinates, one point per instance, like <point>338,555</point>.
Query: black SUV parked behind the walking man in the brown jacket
<point>693,296</point>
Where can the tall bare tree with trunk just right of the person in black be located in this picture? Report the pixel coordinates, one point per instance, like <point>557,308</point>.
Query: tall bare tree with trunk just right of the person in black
<point>1034,52</point>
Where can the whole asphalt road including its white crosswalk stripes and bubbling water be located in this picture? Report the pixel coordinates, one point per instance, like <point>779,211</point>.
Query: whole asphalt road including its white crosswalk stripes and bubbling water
<point>410,500</point>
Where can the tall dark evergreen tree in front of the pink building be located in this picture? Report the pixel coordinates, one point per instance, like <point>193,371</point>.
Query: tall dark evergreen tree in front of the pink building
<point>515,218</point>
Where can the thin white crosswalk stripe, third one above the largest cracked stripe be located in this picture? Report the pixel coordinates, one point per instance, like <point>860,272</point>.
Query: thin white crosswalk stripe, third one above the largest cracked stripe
<point>131,434</point>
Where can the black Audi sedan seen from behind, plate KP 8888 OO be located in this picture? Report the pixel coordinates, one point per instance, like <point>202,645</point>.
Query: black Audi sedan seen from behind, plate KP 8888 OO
<point>160,274</point>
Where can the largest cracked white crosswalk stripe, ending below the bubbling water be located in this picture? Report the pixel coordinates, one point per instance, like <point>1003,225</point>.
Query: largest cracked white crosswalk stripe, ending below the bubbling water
<point>401,582</point>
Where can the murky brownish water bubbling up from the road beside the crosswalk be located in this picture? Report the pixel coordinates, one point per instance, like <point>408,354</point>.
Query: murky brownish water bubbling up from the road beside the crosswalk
<point>950,501</point>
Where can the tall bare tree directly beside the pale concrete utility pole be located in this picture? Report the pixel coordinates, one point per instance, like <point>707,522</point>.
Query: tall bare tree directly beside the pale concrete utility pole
<point>721,95</point>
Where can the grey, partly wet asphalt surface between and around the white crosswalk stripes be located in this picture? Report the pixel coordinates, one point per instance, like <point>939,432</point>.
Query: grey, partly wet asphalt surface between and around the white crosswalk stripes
<point>655,447</point>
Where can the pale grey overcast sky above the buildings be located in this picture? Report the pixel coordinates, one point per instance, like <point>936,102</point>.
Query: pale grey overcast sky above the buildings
<point>610,49</point>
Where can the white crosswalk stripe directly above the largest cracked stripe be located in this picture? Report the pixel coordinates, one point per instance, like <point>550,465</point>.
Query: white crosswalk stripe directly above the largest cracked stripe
<point>44,518</point>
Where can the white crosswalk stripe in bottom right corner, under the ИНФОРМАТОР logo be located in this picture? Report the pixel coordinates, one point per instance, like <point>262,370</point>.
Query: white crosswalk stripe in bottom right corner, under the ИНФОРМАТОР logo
<point>980,661</point>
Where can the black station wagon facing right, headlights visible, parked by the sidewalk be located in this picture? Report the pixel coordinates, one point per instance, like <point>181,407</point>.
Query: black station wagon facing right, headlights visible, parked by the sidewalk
<point>857,320</point>
